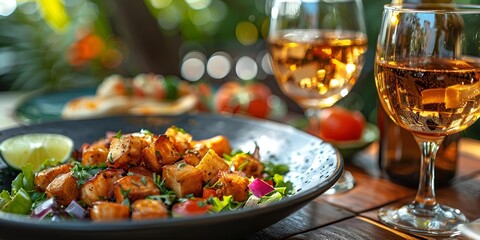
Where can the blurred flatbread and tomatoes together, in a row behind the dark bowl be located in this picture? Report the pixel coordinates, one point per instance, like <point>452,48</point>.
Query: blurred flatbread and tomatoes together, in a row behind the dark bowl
<point>154,94</point>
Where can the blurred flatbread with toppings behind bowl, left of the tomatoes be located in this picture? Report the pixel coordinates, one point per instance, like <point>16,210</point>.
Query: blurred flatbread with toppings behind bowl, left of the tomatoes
<point>145,94</point>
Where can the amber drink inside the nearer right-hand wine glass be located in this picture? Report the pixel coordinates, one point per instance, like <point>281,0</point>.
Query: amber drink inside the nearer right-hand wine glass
<point>431,96</point>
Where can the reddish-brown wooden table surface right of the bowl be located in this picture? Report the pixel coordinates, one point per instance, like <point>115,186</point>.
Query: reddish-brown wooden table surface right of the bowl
<point>353,214</point>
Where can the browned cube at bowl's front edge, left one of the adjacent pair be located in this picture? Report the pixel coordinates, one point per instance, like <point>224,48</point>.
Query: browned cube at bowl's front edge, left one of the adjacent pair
<point>109,211</point>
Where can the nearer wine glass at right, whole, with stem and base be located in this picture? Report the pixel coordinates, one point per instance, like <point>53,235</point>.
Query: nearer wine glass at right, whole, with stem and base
<point>427,74</point>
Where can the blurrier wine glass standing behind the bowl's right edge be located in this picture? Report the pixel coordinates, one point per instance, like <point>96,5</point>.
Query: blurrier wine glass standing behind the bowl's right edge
<point>317,49</point>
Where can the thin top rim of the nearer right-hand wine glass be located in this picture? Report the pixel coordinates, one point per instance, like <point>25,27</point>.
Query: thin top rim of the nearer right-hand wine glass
<point>456,8</point>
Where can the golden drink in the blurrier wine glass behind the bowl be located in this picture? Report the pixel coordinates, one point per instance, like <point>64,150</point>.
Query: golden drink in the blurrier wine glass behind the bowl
<point>317,67</point>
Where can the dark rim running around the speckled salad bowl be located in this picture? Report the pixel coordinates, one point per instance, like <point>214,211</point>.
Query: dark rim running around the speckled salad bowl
<point>299,199</point>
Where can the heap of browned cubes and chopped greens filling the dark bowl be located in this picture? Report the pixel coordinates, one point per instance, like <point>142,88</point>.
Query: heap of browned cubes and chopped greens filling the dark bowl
<point>145,175</point>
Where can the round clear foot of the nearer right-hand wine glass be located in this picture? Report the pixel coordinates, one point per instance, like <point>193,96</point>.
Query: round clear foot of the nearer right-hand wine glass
<point>439,221</point>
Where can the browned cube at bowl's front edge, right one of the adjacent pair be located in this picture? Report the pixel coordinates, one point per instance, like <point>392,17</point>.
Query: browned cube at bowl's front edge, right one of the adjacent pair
<point>148,209</point>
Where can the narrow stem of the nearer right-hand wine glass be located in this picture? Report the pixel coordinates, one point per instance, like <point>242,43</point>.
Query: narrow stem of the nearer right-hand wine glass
<point>425,202</point>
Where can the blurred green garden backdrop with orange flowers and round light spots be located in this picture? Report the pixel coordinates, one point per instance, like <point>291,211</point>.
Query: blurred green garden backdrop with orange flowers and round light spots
<point>61,44</point>
